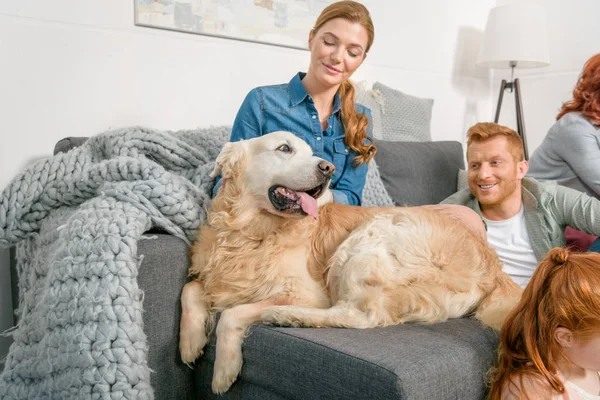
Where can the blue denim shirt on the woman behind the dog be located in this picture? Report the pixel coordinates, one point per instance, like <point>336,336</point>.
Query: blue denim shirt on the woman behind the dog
<point>288,107</point>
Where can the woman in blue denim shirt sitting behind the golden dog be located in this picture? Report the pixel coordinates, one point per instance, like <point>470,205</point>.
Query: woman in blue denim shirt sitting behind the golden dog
<point>318,106</point>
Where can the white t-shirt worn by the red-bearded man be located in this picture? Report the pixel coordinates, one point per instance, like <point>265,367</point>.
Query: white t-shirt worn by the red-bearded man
<point>511,241</point>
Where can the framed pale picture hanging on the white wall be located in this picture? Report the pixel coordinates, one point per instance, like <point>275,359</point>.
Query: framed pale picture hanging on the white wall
<point>276,22</point>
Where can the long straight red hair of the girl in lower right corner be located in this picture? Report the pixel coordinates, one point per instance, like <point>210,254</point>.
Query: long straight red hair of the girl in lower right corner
<point>563,292</point>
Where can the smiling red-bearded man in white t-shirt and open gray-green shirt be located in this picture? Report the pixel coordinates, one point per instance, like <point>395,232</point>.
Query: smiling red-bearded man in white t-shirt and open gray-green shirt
<point>524,218</point>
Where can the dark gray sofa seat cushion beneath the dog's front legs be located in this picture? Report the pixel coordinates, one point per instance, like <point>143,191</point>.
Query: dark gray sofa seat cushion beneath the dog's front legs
<point>446,360</point>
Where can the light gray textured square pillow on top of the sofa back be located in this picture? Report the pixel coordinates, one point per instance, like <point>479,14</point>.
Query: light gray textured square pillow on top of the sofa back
<point>404,117</point>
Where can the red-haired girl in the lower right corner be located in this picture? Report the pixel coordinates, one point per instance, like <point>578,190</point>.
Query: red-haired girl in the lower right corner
<point>550,342</point>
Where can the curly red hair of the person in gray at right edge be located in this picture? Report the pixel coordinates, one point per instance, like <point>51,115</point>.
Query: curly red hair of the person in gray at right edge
<point>586,95</point>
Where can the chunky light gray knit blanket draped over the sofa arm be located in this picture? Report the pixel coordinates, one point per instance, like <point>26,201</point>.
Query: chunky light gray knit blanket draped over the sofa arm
<point>76,218</point>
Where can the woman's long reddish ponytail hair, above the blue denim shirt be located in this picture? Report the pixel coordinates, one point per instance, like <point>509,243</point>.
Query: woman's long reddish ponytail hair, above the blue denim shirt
<point>355,124</point>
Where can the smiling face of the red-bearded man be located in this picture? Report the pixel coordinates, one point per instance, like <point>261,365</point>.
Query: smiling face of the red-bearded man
<point>494,175</point>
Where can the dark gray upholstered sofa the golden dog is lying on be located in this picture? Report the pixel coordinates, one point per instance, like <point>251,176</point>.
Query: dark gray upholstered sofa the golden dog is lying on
<point>446,360</point>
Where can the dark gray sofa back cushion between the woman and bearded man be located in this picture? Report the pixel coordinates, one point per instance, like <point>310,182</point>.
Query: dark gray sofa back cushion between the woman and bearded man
<point>418,173</point>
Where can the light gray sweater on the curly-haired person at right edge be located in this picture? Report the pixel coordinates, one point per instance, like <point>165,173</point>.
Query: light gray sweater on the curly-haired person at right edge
<point>570,155</point>
